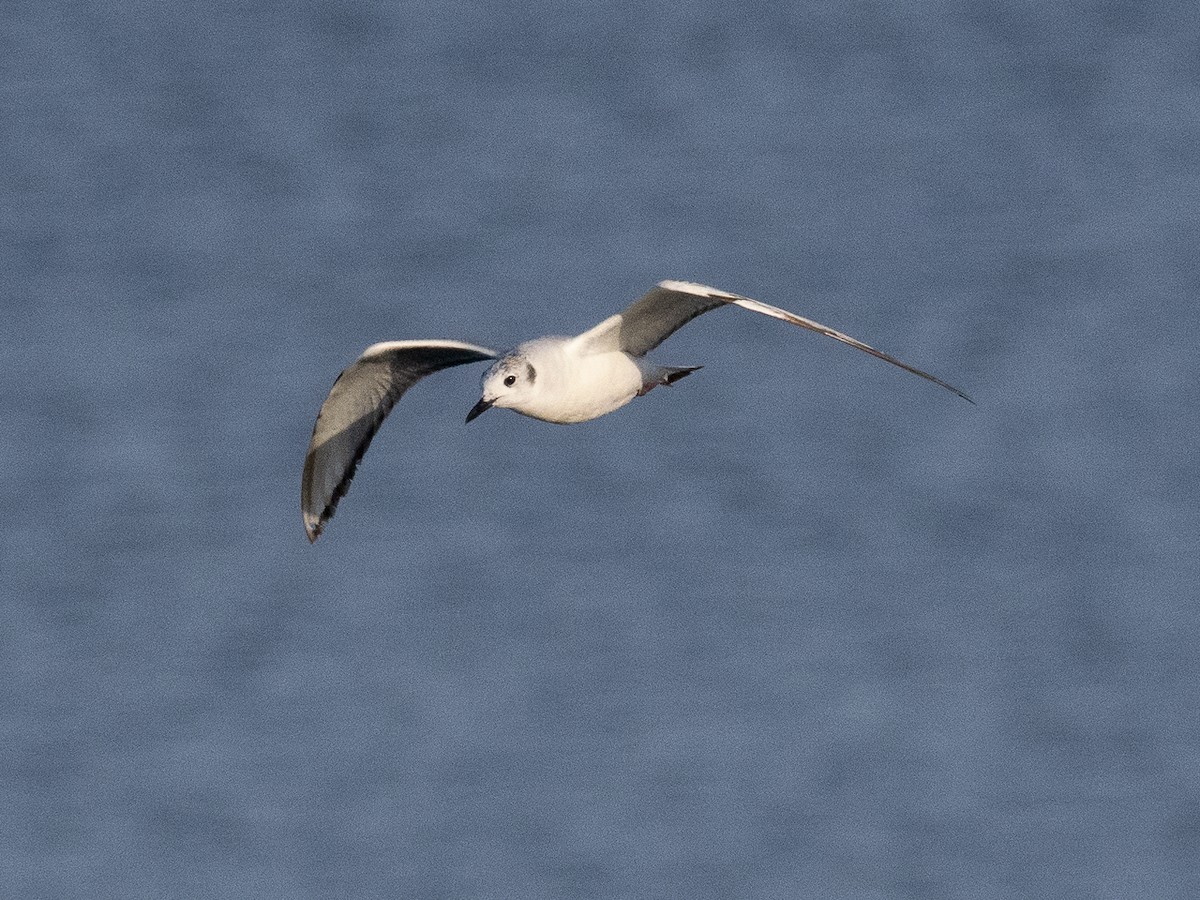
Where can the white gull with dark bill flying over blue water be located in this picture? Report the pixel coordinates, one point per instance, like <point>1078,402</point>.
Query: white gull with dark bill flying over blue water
<point>556,380</point>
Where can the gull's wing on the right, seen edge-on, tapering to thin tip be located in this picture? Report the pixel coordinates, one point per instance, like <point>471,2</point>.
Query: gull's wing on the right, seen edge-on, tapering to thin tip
<point>671,305</point>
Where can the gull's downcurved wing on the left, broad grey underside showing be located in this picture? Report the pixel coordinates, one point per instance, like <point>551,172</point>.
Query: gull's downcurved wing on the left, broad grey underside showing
<point>355,410</point>
